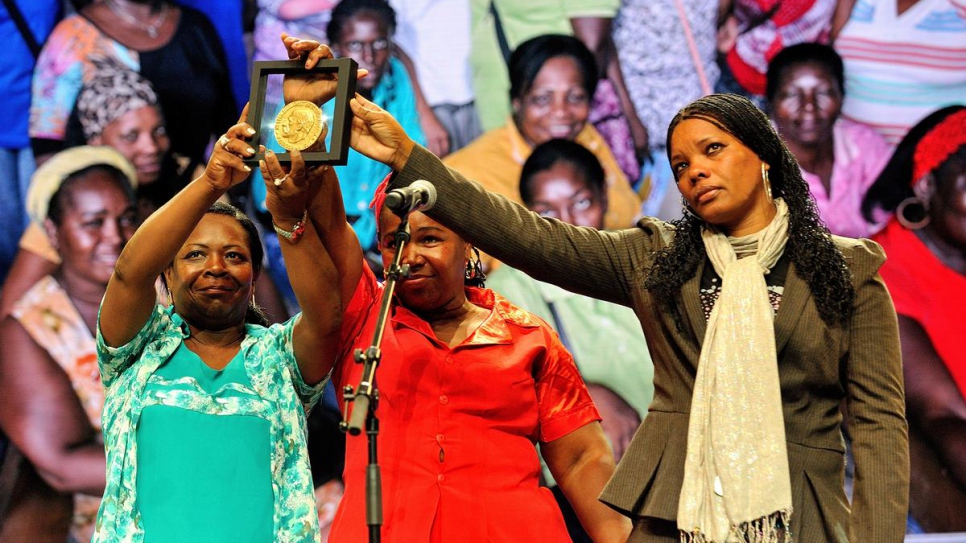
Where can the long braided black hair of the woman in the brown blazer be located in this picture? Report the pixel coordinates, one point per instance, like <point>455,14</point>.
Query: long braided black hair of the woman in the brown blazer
<point>817,260</point>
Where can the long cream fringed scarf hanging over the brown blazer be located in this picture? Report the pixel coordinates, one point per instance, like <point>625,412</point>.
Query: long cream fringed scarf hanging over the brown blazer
<point>736,480</point>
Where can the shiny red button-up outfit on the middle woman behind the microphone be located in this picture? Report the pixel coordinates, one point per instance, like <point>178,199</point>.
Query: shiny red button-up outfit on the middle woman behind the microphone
<point>459,427</point>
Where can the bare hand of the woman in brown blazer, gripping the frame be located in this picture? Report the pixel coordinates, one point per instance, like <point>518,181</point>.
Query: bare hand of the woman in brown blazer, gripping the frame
<point>377,135</point>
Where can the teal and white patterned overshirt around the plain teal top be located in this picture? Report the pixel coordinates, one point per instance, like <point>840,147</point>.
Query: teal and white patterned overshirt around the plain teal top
<point>271,366</point>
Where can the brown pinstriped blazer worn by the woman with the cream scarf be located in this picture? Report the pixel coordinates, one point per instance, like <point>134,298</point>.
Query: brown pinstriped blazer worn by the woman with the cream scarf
<point>819,365</point>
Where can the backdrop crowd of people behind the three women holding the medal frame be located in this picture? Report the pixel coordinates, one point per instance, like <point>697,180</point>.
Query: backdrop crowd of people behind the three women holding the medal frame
<point>111,107</point>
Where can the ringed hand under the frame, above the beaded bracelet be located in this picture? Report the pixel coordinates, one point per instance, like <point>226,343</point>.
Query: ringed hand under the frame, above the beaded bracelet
<point>288,190</point>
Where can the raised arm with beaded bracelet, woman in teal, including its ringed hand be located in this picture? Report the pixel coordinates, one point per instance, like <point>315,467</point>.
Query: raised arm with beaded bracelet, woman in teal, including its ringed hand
<point>315,335</point>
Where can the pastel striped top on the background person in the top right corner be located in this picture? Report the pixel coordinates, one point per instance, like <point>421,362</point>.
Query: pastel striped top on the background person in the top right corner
<point>900,68</point>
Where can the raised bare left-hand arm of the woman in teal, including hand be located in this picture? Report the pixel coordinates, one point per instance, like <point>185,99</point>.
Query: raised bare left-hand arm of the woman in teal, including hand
<point>130,295</point>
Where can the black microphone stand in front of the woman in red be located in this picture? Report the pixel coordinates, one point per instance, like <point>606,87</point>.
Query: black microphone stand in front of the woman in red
<point>365,398</point>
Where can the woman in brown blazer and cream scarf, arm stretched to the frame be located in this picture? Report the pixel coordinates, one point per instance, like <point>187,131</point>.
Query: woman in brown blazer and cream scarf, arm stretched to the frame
<point>786,321</point>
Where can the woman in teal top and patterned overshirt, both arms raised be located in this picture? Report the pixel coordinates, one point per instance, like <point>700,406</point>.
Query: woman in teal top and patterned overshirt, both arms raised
<point>204,416</point>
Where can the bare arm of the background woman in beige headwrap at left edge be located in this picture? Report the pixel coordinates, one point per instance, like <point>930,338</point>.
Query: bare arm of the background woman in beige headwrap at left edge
<point>40,413</point>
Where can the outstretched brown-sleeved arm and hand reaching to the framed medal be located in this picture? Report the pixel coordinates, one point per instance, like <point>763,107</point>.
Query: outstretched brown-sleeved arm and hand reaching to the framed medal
<point>599,264</point>
